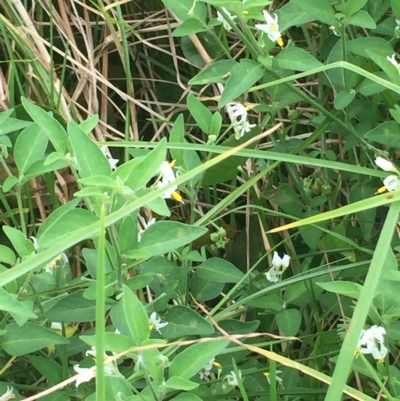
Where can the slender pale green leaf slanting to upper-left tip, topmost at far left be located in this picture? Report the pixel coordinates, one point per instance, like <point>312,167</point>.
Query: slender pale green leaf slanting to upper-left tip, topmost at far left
<point>54,130</point>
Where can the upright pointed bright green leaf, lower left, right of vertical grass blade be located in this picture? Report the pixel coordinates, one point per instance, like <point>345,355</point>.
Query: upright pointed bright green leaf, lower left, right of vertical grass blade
<point>136,316</point>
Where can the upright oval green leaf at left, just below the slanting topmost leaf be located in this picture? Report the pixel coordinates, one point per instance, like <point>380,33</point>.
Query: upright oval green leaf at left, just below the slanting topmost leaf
<point>30,147</point>
